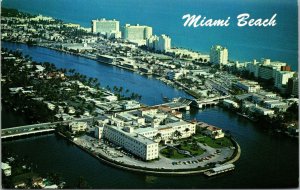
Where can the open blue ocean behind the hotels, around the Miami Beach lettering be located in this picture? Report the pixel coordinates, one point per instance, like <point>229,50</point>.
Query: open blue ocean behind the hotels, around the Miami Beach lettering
<point>245,43</point>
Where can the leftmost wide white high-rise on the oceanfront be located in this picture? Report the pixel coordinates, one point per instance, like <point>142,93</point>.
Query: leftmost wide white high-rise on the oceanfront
<point>110,28</point>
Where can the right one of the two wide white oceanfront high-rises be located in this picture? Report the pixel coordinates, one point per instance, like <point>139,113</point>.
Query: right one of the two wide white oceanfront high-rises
<point>136,32</point>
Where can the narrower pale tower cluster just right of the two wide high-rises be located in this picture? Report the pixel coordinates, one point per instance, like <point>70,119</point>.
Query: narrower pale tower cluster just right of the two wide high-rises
<point>159,43</point>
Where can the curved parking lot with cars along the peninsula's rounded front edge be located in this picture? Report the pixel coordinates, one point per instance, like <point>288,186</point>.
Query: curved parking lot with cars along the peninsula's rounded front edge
<point>111,151</point>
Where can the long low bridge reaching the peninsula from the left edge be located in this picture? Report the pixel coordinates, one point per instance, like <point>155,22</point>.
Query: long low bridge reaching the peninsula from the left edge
<point>38,128</point>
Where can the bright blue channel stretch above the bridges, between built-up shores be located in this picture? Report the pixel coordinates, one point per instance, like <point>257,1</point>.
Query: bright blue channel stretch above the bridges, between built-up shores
<point>151,89</point>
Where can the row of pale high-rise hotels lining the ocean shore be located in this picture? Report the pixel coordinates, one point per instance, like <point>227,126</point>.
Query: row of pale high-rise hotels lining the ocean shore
<point>284,79</point>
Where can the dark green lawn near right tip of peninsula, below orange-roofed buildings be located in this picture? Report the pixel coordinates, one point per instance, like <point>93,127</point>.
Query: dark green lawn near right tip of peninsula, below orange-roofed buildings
<point>214,143</point>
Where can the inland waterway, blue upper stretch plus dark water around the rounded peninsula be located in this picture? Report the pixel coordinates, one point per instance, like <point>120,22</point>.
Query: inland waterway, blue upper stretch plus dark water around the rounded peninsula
<point>268,159</point>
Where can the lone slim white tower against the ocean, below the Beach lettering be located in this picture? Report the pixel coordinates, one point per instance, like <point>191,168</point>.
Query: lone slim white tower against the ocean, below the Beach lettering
<point>219,55</point>
